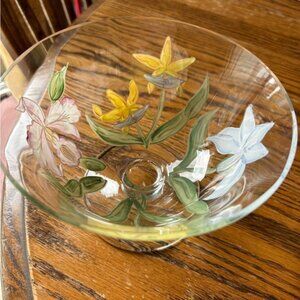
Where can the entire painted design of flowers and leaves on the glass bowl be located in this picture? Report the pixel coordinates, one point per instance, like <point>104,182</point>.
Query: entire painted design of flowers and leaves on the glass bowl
<point>48,134</point>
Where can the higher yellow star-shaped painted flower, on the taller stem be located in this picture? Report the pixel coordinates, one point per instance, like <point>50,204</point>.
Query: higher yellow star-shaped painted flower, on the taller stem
<point>164,64</point>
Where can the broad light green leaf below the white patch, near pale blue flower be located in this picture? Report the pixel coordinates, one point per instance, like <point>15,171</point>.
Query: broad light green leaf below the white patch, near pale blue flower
<point>187,194</point>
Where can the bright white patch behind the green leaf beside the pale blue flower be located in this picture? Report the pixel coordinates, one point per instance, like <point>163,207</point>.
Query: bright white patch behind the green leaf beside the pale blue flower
<point>197,168</point>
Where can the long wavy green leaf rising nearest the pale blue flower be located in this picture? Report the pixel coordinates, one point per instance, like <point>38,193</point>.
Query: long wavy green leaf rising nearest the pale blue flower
<point>197,137</point>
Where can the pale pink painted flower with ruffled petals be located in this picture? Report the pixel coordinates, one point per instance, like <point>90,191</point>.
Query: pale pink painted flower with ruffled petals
<point>43,134</point>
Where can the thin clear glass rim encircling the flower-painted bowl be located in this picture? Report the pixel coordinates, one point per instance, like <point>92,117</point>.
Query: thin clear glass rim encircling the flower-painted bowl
<point>168,232</point>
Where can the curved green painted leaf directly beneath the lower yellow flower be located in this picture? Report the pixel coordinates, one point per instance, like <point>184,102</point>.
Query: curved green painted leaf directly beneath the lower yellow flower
<point>111,136</point>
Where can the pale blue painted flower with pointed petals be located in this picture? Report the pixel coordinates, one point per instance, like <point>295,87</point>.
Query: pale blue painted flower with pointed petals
<point>244,144</point>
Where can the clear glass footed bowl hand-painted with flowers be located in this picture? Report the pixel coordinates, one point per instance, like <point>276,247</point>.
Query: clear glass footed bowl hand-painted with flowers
<point>147,131</point>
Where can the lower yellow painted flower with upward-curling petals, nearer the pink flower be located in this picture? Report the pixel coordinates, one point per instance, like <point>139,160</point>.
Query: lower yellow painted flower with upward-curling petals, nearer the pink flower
<point>123,108</point>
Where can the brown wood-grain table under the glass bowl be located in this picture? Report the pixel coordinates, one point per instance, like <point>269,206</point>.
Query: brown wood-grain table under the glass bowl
<point>256,258</point>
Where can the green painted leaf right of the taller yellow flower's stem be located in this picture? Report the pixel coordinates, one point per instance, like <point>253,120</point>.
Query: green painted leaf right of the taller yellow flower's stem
<point>175,124</point>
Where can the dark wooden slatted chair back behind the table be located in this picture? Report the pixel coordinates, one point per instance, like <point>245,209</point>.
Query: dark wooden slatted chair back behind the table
<point>24,22</point>
